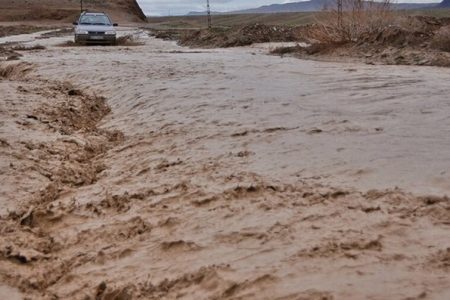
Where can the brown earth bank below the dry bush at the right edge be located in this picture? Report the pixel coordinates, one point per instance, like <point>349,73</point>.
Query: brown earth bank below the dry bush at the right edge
<point>418,41</point>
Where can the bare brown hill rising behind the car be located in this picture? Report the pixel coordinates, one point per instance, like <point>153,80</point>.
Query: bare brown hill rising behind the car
<point>68,10</point>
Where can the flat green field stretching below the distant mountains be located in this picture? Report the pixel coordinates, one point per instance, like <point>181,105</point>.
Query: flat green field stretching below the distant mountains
<point>294,19</point>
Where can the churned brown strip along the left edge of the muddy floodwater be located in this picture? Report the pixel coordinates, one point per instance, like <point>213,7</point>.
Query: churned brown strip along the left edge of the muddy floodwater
<point>49,145</point>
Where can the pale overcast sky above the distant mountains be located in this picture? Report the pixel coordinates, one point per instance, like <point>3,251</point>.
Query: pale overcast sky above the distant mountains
<point>181,7</point>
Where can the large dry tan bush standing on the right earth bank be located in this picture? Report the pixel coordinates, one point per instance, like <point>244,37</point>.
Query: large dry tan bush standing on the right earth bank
<point>357,20</point>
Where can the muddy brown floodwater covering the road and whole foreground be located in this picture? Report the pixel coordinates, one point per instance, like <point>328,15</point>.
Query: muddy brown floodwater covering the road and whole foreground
<point>221,174</point>
